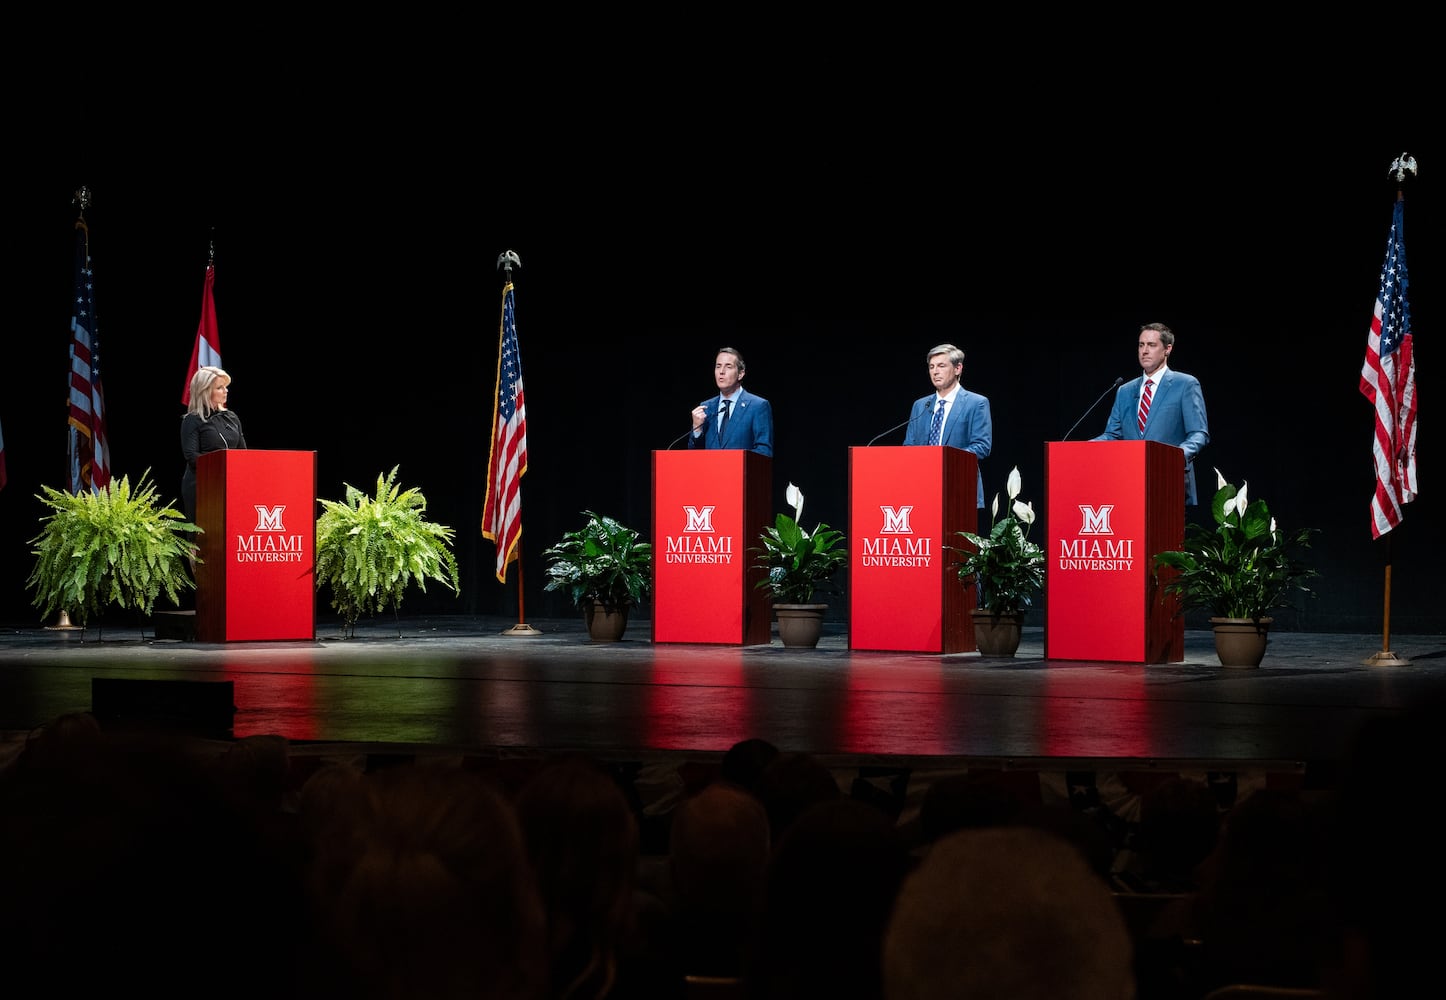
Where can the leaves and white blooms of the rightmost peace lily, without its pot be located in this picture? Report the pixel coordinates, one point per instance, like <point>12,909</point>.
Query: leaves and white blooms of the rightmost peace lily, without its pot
<point>1243,569</point>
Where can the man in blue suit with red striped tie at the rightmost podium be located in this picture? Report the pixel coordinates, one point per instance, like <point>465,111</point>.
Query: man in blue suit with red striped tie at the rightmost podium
<point>1162,405</point>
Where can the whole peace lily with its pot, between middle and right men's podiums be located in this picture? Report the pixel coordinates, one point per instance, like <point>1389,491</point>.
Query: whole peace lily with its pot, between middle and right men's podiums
<point>1007,572</point>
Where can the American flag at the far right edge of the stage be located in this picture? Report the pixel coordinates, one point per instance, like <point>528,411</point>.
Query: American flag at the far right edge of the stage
<point>1389,381</point>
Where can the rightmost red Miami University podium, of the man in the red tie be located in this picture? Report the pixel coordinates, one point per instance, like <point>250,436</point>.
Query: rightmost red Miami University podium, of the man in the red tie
<point>1113,505</point>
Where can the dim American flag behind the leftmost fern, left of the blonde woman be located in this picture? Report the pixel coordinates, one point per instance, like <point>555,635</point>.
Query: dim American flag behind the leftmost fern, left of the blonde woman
<point>89,444</point>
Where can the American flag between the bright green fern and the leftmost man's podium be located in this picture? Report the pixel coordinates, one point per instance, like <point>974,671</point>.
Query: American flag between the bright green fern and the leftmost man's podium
<point>502,511</point>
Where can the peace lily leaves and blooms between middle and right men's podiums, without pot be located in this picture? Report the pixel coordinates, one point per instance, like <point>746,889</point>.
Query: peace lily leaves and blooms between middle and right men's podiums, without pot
<point>1007,567</point>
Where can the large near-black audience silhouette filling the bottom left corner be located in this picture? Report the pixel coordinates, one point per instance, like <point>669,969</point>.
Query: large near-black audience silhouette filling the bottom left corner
<point>124,865</point>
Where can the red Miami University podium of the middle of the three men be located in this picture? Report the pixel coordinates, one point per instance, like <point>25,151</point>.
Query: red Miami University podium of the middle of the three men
<point>906,505</point>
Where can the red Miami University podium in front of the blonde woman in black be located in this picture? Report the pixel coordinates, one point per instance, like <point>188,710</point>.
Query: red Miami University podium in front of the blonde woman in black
<point>258,515</point>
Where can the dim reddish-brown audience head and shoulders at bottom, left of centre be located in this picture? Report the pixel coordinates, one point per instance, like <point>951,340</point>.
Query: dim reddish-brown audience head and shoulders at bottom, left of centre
<point>433,898</point>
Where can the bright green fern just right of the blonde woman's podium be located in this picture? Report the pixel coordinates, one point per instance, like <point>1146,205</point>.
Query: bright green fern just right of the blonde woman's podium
<point>372,548</point>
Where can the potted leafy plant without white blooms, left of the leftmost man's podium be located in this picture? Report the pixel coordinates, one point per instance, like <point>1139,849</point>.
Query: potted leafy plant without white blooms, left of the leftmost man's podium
<point>607,569</point>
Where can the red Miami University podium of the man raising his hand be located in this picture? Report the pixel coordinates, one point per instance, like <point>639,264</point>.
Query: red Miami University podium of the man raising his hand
<point>709,507</point>
